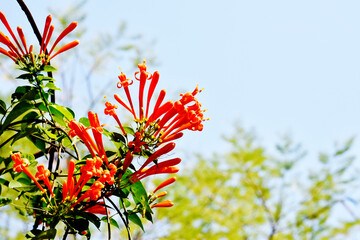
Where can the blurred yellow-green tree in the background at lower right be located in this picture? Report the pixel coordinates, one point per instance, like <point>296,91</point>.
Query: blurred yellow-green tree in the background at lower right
<point>248,193</point>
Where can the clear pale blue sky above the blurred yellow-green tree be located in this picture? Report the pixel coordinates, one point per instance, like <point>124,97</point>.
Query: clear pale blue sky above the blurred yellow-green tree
<point>278,66</point>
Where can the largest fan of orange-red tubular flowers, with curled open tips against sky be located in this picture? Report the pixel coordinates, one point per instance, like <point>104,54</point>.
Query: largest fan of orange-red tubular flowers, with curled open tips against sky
<point>166,121</point>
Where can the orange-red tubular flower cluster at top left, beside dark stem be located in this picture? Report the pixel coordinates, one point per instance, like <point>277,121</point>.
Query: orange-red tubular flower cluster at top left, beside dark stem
<point>21,54</point>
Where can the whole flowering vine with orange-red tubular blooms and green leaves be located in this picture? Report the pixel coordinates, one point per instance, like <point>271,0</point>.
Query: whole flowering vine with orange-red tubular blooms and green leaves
<point>99,172</point>
